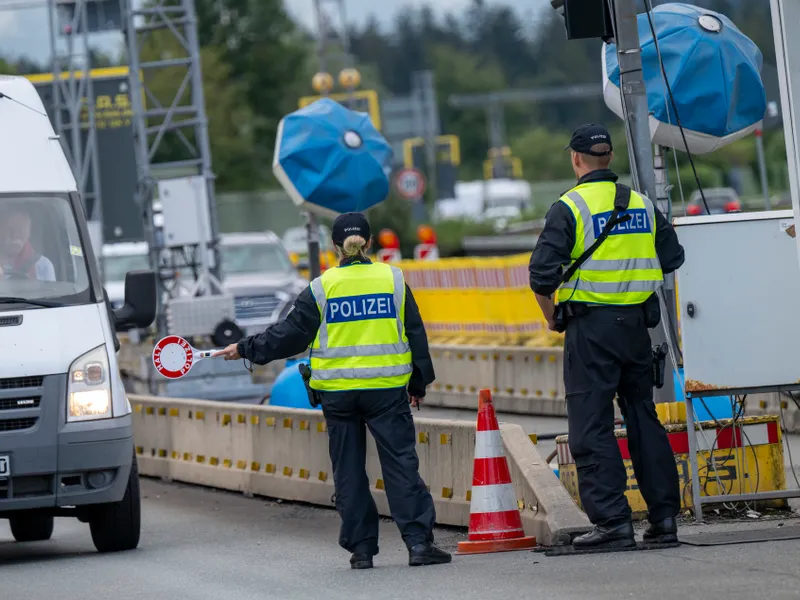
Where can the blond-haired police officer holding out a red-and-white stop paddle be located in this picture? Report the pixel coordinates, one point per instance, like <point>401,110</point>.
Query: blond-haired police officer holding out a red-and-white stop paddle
<point>369,362</point>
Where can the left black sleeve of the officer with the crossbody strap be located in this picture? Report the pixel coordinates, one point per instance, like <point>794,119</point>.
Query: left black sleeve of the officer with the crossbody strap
<point>553,250</point>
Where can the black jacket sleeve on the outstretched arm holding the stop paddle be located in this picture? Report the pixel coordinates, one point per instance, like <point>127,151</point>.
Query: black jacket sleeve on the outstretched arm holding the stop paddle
<point>287,338</point>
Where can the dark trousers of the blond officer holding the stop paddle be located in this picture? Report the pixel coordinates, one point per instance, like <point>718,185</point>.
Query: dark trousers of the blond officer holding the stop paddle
<point>387,414</point>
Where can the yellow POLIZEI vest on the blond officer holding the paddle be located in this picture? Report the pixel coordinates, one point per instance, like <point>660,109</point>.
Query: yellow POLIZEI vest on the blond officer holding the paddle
<point>361,343</point>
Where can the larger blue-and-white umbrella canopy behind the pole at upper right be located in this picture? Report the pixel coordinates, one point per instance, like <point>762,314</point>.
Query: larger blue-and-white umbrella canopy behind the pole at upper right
<point>713,69</point>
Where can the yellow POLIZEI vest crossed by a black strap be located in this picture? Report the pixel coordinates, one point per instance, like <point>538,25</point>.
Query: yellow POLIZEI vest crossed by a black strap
<point>624,269</point>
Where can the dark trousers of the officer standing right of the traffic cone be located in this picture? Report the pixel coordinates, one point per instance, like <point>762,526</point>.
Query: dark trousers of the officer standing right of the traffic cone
<point>607,353</point>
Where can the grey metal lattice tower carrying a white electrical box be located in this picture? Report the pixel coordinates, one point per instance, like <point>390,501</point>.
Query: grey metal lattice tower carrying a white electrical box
<point>172,146</point>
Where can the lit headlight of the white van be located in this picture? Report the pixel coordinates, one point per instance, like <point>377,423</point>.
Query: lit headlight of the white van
<point>89,387</point>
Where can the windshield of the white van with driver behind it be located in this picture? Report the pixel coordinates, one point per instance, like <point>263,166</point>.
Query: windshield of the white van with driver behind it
<point>41,254</point>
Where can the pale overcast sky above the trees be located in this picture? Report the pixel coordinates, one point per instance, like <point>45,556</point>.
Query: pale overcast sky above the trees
<point>25,31</point>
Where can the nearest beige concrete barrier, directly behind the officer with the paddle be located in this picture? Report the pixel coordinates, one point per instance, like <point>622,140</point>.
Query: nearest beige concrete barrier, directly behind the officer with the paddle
<point>283,453</point>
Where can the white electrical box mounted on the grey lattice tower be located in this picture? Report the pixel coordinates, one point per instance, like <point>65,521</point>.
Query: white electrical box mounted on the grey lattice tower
<point>184,206</point>
